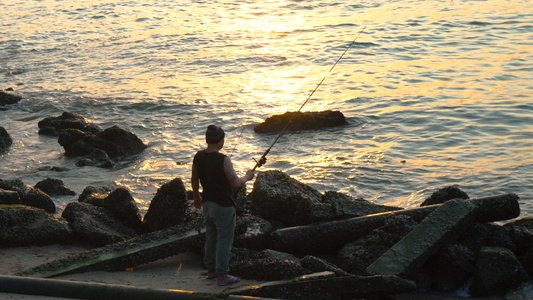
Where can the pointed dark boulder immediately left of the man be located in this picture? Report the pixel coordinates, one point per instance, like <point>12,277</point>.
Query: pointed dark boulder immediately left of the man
<point>167,207</point>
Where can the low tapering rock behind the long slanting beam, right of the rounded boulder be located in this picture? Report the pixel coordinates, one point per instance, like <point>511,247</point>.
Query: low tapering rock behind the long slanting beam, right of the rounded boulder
<point>336,206</point>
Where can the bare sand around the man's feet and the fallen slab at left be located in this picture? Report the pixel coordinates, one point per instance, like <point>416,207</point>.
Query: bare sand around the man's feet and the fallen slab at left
<point>182,271</point>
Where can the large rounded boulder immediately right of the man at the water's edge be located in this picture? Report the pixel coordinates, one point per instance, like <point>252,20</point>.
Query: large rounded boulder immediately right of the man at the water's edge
<point>275,196</point>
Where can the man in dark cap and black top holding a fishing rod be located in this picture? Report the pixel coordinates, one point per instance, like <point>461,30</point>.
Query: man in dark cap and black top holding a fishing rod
<point>218,178</point>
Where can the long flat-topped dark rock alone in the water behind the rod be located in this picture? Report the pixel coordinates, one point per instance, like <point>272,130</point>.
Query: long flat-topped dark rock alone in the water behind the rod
<point>297,121</point>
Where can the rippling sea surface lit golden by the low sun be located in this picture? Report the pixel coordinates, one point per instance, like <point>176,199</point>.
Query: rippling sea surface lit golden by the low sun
<point>436,93</point>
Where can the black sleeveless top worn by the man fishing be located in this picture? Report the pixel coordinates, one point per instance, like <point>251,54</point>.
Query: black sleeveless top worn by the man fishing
<point>215,184</point>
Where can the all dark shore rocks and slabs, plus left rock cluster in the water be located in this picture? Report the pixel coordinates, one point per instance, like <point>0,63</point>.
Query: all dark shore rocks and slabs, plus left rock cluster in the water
<point>304,243</point>
